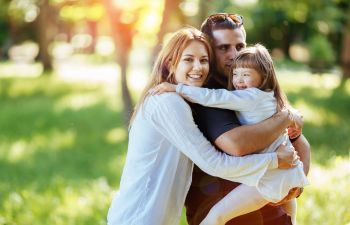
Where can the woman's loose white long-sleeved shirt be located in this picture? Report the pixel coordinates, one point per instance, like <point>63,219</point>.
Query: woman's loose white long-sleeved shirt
<point>163,142</point>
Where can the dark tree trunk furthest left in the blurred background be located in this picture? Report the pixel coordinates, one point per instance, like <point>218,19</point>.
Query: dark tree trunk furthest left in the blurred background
<point>43,29</point>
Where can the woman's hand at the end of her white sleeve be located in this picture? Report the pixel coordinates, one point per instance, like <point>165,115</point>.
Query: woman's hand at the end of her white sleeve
<point>287,157</point>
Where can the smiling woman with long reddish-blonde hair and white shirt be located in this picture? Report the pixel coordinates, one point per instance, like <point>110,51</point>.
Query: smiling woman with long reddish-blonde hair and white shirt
<point>164,142</point>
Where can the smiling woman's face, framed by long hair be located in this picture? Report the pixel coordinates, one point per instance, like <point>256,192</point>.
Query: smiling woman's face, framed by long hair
<point>193,67</point>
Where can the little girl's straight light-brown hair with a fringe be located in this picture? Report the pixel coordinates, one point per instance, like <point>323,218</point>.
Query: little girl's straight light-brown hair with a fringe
<point>257,57</point>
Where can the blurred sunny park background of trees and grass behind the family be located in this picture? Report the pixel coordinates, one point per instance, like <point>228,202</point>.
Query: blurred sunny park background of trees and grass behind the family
<point>71,71</point>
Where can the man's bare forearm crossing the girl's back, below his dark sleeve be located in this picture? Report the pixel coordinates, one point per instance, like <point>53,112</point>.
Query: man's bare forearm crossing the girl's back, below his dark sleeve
<point>249,139</point>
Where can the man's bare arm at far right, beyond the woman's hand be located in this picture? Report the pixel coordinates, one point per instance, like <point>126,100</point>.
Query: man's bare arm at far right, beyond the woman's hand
<point>302,146</point>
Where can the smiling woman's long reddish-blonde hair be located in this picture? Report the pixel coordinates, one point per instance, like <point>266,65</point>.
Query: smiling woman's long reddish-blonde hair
<point>168,59</point>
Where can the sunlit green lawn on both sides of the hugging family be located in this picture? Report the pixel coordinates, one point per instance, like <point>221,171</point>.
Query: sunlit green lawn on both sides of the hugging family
<point>62,148</point>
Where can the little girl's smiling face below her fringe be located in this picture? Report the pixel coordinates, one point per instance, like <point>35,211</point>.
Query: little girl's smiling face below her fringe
<point>243,78</point>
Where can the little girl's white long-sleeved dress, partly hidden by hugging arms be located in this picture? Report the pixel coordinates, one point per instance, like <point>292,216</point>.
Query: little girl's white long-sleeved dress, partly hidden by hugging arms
<point>252,106</point>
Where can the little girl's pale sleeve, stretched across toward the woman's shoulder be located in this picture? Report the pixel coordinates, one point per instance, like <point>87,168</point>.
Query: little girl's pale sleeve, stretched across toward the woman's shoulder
<point>239,100</point>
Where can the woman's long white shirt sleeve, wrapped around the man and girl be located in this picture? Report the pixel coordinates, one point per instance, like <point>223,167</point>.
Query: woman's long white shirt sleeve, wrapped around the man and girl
<point>171,116</point>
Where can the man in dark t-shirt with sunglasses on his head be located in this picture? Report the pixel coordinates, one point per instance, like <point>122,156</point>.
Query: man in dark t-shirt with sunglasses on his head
<point>222,128</point>
